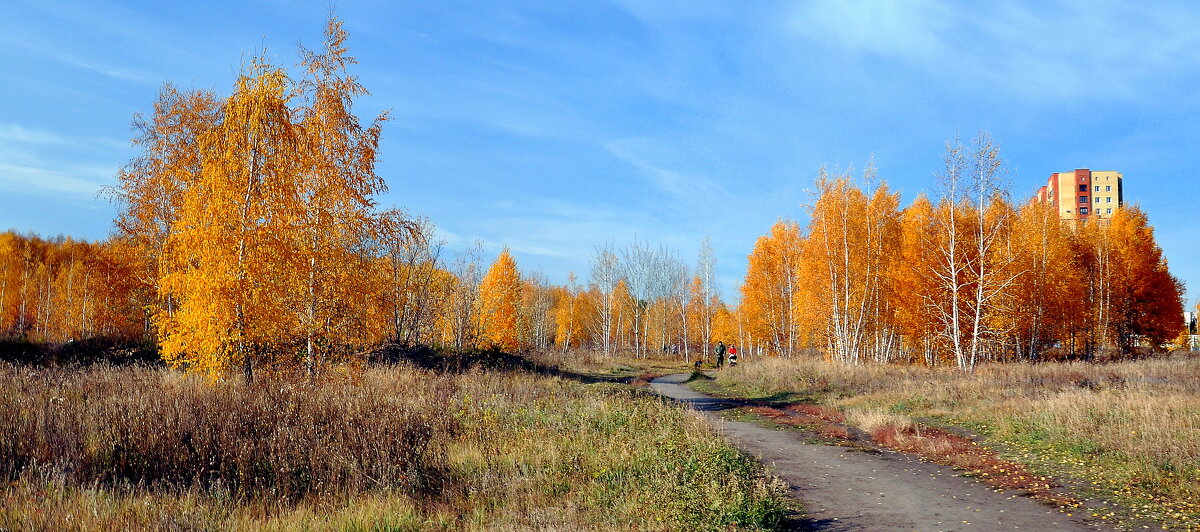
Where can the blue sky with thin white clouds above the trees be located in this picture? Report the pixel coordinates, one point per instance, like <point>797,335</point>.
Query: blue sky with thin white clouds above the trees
<point>551,127</point>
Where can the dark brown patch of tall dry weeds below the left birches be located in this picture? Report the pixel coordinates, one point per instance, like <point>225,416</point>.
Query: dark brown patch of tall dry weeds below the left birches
<point>153,428</point>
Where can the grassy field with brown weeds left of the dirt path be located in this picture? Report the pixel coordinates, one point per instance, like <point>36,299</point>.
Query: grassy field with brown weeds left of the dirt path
<point>395,449</point>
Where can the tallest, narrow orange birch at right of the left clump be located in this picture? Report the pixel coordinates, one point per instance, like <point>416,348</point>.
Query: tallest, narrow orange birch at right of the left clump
<point>337,189</point>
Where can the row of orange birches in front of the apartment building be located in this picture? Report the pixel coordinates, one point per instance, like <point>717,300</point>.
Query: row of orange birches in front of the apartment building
<point>964,278</point>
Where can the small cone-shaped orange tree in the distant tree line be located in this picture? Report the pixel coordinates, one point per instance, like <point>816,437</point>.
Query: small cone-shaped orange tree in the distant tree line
<point>500,304</point>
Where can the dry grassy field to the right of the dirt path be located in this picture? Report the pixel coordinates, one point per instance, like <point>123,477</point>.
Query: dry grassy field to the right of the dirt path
<point>1126,434</point>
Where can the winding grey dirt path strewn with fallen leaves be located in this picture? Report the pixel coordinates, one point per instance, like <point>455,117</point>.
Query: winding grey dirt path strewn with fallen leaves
<point>844,489</point>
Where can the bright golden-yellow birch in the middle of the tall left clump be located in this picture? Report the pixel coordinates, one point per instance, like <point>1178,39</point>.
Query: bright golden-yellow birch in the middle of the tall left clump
<point>231,253</point>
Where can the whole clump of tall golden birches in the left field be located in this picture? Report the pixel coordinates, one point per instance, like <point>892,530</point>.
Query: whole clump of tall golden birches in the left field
<point>259,219</point>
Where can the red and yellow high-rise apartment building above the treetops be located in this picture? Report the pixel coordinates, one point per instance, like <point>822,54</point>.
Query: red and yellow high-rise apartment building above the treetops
<point>1083,194</point>
